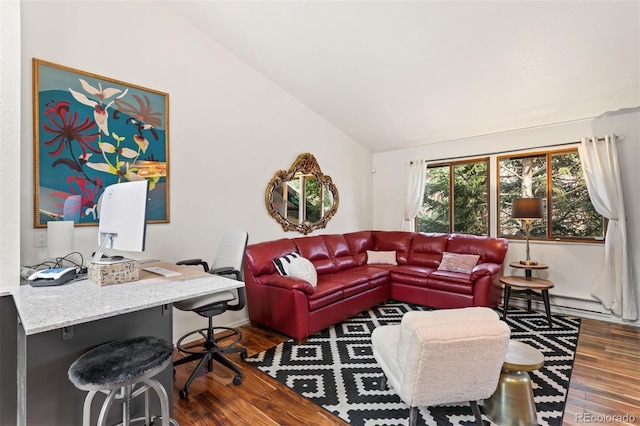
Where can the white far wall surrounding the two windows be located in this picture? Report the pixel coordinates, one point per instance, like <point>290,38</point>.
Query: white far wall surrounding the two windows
<point>573,267</point>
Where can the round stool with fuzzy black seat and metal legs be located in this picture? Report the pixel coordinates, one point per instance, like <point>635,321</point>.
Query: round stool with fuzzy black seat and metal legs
<point>115,368</point>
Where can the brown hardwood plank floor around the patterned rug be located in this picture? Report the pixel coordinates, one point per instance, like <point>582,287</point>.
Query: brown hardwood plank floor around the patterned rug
<point>604,389</point>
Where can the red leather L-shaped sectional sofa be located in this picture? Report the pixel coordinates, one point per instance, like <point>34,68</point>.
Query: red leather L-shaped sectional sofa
<point>348,285</point>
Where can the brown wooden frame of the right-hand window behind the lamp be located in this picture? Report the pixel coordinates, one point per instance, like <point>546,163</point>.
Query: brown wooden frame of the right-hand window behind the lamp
<point>548,154</point>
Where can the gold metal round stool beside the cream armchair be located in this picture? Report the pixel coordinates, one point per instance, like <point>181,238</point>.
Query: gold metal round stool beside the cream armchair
<point>512,403</point>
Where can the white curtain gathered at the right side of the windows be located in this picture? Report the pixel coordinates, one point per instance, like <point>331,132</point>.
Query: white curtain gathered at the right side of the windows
<point>613,287</point>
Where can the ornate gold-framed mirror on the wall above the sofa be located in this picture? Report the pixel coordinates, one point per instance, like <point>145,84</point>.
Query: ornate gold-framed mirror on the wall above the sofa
<point>302,198</point>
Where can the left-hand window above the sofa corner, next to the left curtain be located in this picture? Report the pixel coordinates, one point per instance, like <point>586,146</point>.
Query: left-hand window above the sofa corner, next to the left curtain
<point>456,198</point>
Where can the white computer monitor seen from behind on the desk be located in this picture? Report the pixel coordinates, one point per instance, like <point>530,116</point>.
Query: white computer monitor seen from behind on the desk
<point>122,218</point>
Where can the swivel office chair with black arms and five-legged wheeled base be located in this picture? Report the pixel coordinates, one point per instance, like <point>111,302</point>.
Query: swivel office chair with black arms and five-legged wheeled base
<point>218,341</point>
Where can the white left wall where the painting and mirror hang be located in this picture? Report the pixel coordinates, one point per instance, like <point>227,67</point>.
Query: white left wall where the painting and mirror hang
<point>230,128</point>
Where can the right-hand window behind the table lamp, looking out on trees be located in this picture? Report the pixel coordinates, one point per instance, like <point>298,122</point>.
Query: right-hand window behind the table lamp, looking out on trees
<point>555,176</point>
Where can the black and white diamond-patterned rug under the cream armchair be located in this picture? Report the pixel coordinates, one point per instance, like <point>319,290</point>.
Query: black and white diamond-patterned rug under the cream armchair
<point>336,369</point>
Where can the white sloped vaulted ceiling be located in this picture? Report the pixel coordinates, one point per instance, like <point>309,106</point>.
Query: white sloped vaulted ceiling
<point>396,74</point>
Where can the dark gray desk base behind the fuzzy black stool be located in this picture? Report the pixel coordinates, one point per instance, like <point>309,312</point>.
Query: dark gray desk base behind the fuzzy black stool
<point>46,397</point>
